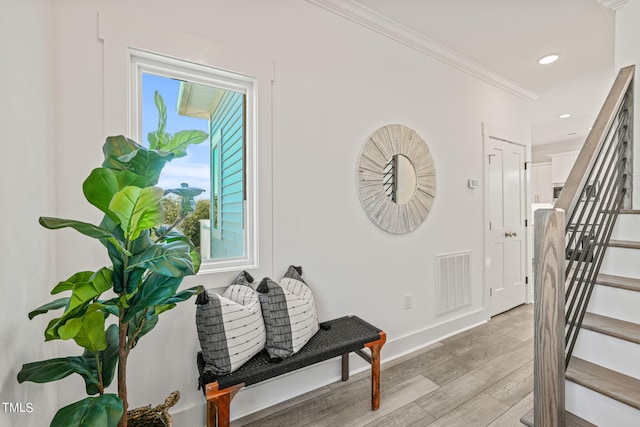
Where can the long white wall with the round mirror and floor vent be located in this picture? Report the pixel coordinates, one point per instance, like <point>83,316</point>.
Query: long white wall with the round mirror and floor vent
<point>335,84</point>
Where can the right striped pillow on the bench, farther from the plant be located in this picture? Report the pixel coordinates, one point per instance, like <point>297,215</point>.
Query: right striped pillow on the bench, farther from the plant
<point>289,313</point>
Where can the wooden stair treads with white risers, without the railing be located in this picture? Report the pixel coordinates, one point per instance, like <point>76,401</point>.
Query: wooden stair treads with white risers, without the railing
<point>602,385</point>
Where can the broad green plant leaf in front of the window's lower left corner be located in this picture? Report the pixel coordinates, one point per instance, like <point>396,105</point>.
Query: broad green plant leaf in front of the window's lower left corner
<point>171,259</point>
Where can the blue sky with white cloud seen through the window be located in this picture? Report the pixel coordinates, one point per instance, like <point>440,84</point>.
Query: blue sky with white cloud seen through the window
<point>194,168</point>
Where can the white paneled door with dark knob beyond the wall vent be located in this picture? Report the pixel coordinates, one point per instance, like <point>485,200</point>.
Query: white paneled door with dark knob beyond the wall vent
<point>506,235</point>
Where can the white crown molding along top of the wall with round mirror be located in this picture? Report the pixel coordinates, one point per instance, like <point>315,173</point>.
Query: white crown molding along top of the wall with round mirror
<point>374,21</point>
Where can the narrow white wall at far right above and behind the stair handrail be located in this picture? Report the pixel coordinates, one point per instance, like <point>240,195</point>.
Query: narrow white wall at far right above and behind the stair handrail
<point>627,53</point>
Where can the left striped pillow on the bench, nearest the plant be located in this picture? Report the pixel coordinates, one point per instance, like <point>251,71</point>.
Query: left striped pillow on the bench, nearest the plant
<point>230,326</point>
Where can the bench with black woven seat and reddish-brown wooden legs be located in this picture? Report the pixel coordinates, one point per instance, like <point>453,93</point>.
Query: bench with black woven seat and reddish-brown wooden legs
<point>337,337</point>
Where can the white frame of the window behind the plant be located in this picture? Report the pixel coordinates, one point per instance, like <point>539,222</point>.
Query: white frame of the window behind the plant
<point>141,61</point>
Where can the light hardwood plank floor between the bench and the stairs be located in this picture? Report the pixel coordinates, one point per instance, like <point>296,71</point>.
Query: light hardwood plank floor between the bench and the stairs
<point>480,377</point>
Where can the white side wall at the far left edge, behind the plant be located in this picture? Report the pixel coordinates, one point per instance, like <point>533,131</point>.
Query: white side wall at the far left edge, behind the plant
<point>27,191</point>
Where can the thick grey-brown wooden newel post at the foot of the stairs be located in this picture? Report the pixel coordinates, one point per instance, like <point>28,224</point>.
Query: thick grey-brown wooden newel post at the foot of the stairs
<point>549,314</point>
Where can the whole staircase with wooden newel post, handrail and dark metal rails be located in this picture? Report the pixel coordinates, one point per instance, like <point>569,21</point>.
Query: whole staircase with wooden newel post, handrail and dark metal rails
<point>587,282</point>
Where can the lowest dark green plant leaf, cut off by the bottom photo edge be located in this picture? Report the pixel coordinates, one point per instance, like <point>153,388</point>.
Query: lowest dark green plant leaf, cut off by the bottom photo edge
<point>101,411</point>
